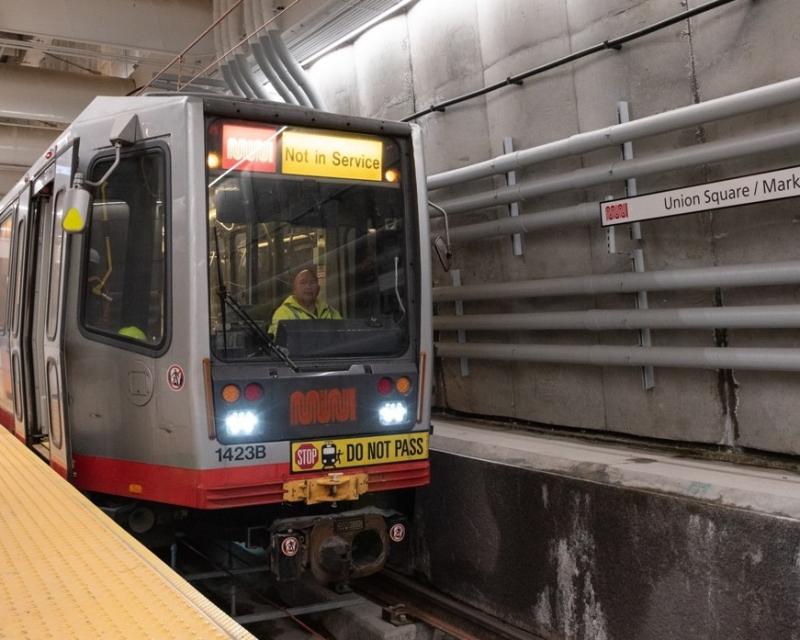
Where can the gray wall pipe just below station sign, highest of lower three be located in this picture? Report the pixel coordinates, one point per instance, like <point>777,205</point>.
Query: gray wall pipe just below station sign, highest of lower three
<point>706,278</point>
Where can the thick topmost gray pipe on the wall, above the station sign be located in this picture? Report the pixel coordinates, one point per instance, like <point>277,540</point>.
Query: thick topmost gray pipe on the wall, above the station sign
<point>622,170</point>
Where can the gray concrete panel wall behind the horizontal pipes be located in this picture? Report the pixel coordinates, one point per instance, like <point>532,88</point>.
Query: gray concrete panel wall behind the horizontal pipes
<point>442,48</point>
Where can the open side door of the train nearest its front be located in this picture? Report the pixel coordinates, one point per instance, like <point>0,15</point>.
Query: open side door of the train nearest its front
<point>41,343</point>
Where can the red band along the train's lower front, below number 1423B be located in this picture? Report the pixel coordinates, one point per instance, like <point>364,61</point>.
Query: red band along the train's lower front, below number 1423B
<point>221,487</point>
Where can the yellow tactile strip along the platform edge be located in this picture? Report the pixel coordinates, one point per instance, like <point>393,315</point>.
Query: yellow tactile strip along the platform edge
<point>68,571</point>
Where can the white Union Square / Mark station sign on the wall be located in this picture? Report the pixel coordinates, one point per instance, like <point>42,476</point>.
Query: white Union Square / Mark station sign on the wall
<point>761,187</point>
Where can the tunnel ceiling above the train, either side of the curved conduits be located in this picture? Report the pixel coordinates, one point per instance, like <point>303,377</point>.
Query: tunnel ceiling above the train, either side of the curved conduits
<point>129,40</point>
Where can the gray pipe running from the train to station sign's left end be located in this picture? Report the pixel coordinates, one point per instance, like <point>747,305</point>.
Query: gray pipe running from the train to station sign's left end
<point>527,222</point>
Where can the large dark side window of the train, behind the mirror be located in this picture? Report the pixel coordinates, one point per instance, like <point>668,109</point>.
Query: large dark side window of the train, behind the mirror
<point>124,290</point>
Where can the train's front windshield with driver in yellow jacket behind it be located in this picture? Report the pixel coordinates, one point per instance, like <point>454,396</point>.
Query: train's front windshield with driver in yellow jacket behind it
<point>307,243</point>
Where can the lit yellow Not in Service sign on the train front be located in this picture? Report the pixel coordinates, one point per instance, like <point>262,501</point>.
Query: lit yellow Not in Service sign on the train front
<point>306,153</point>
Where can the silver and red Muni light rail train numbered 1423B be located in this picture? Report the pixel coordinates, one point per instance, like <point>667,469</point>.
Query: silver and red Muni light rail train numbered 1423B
<point>141,261</point>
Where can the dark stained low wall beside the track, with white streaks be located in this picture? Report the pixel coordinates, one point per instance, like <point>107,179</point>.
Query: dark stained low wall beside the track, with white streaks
<point>570,557</point>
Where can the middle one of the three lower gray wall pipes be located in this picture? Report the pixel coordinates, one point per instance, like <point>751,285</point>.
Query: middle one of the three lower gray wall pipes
<point>764,317</point>
